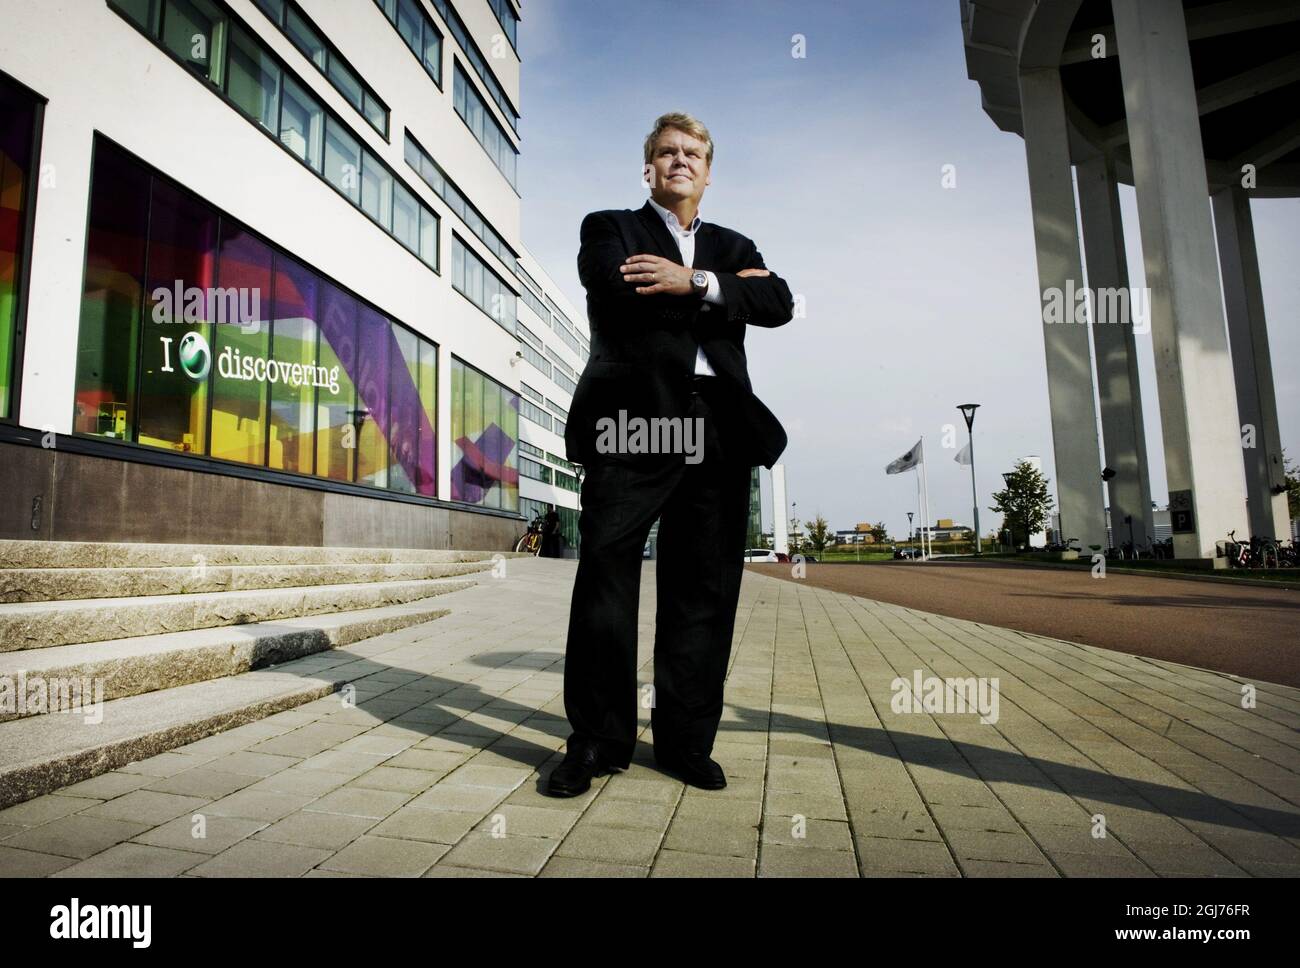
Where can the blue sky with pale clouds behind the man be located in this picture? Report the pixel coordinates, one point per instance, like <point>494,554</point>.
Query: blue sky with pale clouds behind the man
<point>918,298</point>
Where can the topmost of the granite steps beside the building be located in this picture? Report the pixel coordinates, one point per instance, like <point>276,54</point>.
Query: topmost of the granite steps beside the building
<point>60,554</point>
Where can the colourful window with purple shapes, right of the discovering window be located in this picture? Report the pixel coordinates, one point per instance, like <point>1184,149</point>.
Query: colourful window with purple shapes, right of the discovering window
<point>486,440</point>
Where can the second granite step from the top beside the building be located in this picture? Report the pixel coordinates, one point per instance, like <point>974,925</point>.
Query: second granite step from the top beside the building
<point>66,584</point>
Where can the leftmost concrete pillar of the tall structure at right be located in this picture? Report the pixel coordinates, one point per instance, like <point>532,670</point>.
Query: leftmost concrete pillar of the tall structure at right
<point>1069,362</point>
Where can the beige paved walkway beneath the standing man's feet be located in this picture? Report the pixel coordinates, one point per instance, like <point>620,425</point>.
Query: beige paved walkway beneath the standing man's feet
<point>436,771</point>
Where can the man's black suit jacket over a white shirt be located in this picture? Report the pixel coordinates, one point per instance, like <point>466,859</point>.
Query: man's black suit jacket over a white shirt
<point>644,348</point>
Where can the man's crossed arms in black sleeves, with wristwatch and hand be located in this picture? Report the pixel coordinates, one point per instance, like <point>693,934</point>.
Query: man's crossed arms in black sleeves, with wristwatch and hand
<point>651,287</point>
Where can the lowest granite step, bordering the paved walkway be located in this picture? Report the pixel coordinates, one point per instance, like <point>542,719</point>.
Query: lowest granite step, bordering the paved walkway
<point>40,754</point>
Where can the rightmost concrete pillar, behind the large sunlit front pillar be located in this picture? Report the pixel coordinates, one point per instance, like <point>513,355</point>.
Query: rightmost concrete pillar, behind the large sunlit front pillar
<point>1256,402</point>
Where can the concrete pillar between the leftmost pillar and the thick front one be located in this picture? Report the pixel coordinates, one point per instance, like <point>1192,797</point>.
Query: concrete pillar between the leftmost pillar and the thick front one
<point>1115,332</point>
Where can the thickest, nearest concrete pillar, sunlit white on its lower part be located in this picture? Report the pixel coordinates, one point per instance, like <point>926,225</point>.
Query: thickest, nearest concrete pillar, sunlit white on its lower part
<point>1194,374</point>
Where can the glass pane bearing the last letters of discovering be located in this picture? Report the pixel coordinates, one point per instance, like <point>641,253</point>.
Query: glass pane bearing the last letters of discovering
<point>336,400</point>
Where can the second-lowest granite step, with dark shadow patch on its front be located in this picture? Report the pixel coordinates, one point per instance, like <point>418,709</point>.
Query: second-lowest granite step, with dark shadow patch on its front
<point>73,680</point>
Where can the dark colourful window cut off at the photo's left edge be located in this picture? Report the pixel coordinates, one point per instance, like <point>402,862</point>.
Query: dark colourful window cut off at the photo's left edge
<point>18,129</point>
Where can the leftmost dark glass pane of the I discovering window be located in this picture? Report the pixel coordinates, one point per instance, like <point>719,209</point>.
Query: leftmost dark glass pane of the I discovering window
<point>112,299</point>
